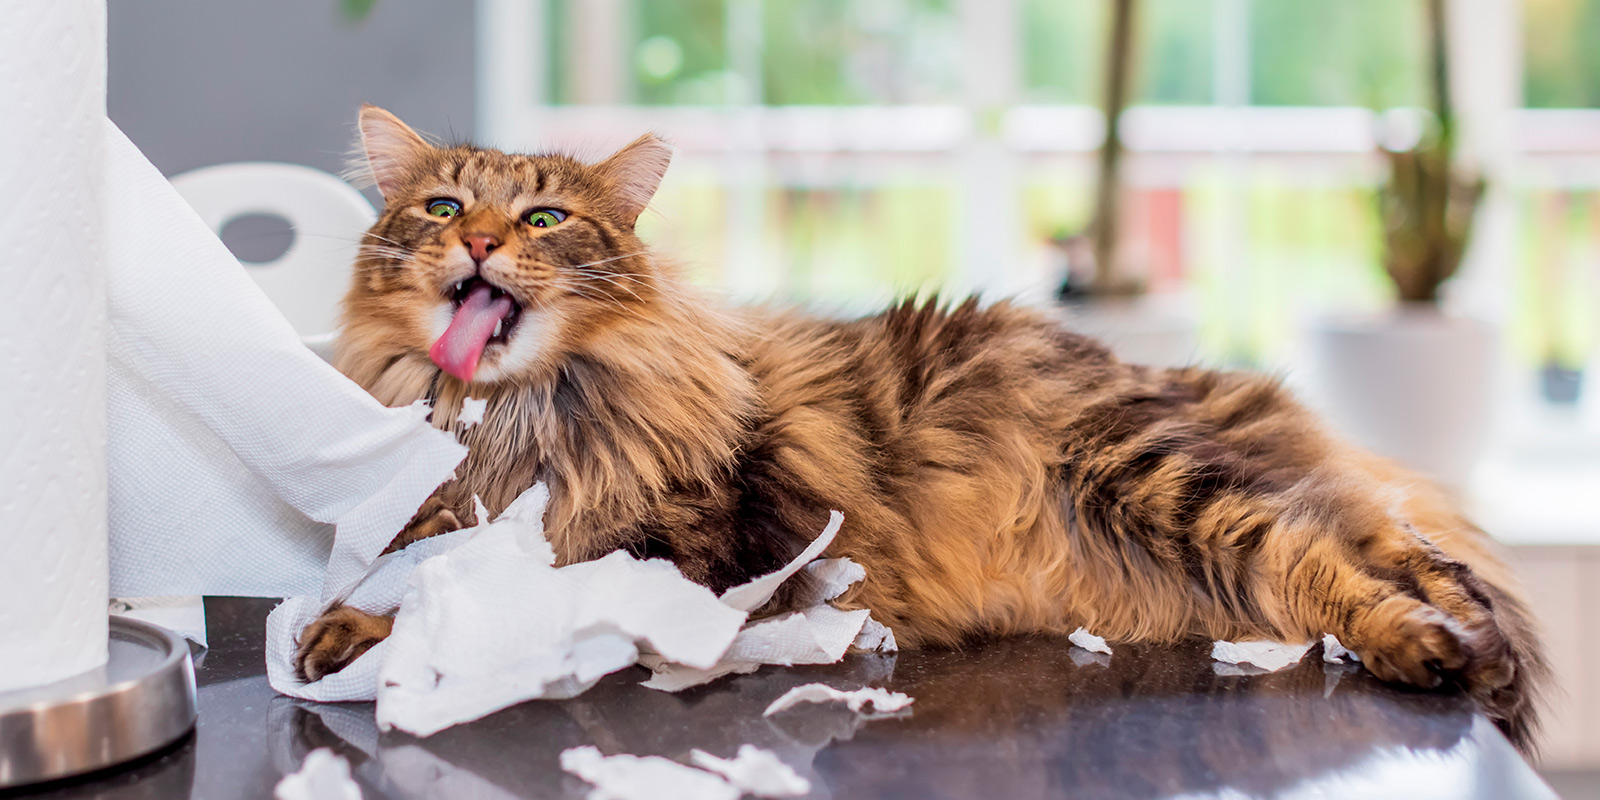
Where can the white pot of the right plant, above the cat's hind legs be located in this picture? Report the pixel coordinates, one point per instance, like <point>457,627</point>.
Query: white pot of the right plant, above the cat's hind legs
<point>1415,386</point>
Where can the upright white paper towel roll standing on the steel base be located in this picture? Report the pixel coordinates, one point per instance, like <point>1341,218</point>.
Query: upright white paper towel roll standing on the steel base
<point>54,575</point>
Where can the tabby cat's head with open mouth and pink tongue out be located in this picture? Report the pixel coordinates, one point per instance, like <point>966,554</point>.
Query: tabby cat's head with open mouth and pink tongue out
<point>495,263</point>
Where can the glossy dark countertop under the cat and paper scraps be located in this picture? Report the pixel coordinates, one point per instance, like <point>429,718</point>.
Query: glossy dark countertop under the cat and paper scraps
<point>1014,719</point>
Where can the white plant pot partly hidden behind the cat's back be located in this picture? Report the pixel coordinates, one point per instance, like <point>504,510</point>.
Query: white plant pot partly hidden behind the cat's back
<point>1142,330</point>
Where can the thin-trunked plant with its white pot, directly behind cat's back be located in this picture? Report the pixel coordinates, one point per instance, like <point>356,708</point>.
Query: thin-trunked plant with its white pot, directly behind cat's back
<point>1103,292</point>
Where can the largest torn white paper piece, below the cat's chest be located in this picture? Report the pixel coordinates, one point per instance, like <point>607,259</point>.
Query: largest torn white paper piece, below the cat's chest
<point>494,623</point>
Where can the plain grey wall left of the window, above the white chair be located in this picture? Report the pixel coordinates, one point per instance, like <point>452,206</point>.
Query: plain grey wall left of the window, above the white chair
<point>199,82</point>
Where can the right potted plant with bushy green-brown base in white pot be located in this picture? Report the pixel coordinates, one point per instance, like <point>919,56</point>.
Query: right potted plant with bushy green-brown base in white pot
<point>1415,383</point>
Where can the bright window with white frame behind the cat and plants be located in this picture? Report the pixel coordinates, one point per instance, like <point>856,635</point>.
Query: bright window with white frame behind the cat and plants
<point>846,151</point>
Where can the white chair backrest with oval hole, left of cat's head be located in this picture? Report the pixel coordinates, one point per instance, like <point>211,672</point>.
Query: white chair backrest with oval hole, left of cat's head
<point>326,214</point>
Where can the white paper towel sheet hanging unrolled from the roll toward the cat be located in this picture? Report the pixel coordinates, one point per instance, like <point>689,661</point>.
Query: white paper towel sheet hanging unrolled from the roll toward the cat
<point>234,450</point>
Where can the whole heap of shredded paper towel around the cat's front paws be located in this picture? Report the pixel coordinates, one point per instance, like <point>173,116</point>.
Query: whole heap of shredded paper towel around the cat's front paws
<point>457,655</point>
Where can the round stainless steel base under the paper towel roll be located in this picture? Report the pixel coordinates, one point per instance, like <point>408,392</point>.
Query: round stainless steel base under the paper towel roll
<point>142,702</point>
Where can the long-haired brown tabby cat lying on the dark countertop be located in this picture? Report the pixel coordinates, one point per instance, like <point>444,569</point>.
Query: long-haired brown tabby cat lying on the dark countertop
<point>998,474</point>
